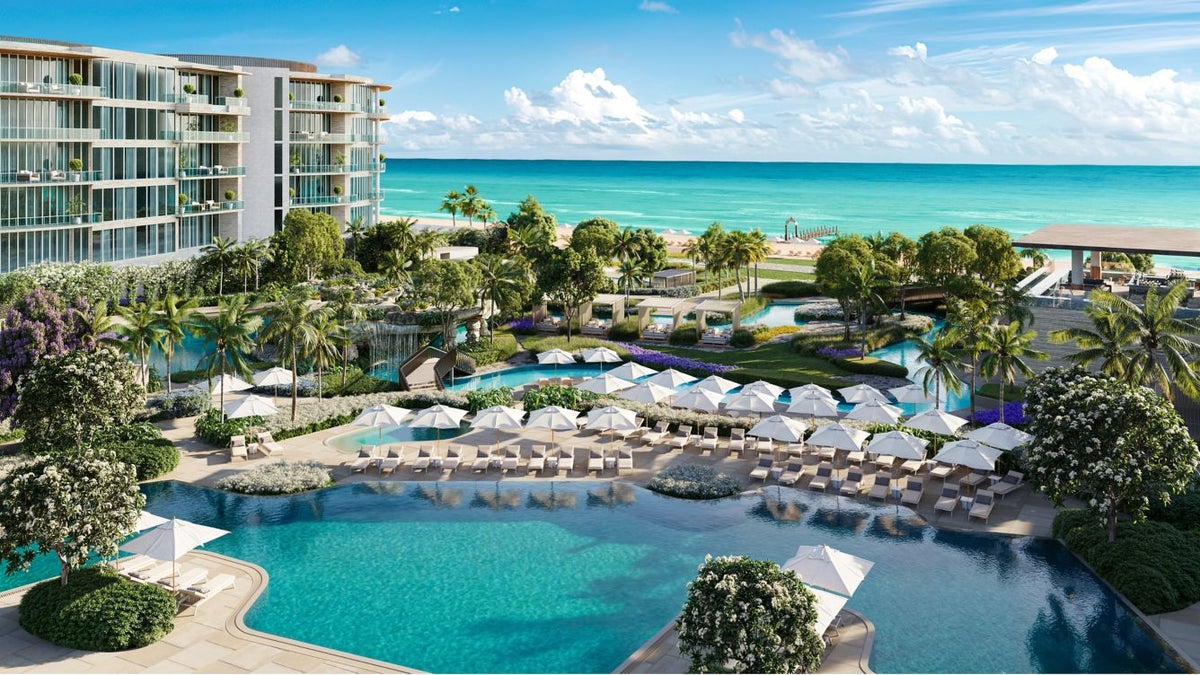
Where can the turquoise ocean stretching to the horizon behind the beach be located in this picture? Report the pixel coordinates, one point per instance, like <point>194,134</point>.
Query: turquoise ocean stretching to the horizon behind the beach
<point>862,199</point>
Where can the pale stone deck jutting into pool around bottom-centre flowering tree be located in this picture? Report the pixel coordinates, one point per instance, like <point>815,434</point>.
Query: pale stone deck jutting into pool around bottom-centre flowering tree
<point>851,654</point>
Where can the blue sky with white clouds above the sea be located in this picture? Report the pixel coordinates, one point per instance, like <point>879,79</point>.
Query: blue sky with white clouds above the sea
<point>1113,82</point>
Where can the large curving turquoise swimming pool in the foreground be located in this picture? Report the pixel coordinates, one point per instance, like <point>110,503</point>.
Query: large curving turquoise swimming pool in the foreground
<point>574,577</point>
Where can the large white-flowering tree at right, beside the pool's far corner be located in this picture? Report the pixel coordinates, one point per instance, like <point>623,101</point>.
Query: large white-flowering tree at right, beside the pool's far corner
<point>1111,444</point>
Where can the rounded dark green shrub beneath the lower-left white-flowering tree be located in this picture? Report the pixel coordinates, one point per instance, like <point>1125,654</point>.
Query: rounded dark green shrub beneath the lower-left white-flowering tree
<point>98,611</point>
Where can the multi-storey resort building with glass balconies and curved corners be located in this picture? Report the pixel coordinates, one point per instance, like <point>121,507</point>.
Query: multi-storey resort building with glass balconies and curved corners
<point>129,158</point>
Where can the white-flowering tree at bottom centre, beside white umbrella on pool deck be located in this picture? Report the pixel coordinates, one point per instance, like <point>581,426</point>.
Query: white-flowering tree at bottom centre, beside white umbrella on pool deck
<point>748,616</point>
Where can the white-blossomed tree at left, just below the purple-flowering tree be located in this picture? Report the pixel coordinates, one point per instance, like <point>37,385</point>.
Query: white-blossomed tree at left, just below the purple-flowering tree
<point>68,401</point>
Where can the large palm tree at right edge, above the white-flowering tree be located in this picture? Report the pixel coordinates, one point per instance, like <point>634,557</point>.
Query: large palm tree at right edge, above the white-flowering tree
<point>1160,348</point>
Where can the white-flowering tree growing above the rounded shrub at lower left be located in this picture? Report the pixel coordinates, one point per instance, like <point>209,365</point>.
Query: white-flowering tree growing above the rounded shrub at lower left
<point>71,505</point>
